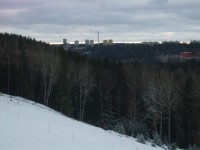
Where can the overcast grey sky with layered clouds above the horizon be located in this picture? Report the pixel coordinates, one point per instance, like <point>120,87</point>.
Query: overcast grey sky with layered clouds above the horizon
<point>120,20</point>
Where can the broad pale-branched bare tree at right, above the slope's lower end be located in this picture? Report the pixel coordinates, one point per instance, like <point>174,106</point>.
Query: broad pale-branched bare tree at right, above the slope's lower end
<point>161,97</point>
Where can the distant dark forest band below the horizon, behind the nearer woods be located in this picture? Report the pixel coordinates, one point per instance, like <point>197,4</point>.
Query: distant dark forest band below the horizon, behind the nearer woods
<point>141,52</point>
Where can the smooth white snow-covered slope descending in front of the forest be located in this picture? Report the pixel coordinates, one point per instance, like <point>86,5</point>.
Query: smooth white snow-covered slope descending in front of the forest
<point>25,125</point>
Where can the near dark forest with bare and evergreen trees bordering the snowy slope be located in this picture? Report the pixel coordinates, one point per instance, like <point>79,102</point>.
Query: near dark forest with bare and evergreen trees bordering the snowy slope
<point>157,101</point>
